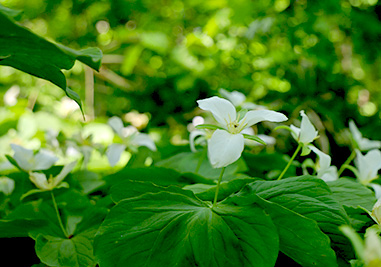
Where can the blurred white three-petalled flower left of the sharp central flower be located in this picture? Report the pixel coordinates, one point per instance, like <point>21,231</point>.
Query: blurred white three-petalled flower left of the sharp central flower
<point>131,137</point>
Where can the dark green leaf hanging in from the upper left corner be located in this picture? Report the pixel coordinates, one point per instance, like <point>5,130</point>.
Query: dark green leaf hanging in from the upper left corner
<point>30,53</point>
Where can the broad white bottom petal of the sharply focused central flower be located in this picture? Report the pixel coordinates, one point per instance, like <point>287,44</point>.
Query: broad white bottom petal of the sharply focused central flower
<point>224,148</point>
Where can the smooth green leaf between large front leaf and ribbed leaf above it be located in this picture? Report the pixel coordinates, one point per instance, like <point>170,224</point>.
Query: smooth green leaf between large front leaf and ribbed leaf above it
<point>300,238</point>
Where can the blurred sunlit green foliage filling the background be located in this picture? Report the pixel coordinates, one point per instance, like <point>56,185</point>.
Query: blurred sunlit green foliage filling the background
<point>161,56</point>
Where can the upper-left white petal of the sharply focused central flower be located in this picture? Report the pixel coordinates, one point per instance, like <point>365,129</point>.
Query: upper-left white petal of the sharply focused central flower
<point>223,111</point>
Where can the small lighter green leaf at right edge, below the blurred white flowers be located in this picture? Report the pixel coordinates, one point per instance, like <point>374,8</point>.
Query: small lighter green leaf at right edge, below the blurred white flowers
<point>352,194</point>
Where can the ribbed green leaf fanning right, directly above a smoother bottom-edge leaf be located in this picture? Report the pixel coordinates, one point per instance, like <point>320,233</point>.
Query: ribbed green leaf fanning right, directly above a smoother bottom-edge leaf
<point>306,195</point>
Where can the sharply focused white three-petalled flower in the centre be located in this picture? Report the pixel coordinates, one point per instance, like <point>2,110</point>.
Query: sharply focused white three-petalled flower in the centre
<point>226,145</point>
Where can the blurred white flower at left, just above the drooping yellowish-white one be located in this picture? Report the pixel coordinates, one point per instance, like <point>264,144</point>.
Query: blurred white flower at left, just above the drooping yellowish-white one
<point>28,161</point>
